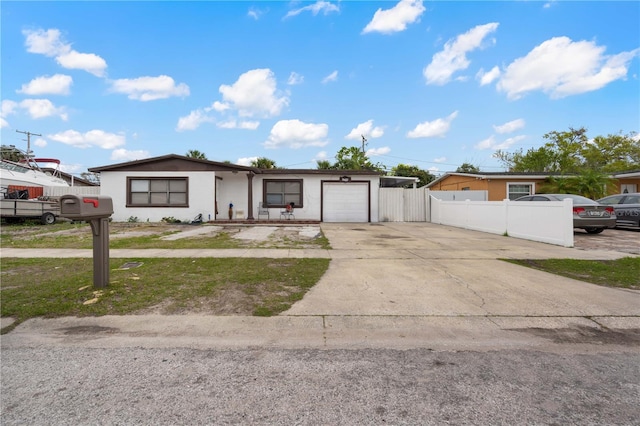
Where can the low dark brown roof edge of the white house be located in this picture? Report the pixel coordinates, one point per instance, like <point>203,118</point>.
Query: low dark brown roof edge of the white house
<point>174,162</point>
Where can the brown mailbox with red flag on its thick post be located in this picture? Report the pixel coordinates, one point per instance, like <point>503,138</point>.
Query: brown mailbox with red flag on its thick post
<point>96,210</point>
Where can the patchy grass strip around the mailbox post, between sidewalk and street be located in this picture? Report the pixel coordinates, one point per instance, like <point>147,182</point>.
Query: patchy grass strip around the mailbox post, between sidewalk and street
<point>64,287</point>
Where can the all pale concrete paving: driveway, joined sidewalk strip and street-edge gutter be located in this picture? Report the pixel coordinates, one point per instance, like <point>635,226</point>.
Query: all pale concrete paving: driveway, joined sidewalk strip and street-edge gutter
<point>400,285</point>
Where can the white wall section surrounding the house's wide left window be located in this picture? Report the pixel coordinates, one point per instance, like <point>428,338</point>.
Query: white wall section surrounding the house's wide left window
<point>201,196</point>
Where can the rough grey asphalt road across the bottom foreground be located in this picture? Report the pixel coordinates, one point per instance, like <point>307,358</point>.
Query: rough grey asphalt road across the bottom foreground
<point>127,386</point>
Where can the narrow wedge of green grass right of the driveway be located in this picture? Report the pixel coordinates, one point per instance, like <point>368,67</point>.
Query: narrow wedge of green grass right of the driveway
<point>621,273</point>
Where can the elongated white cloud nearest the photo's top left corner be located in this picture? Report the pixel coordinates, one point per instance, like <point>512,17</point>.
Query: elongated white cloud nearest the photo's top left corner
<point>50,43</point>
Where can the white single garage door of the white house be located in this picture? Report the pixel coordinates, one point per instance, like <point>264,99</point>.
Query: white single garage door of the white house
<point>345,202</point>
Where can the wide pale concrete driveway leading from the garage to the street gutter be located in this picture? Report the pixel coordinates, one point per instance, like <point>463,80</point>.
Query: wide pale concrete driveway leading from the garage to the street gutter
<point>421,269</point>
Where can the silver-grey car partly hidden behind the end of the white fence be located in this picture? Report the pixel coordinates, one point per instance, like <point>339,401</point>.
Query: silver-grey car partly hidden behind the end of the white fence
<point>588,214</point>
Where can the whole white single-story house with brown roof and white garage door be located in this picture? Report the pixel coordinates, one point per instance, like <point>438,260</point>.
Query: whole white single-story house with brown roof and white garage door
<point>183,188</point>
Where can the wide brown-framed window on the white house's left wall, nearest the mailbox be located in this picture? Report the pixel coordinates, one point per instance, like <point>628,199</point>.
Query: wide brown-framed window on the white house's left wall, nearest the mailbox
<point>157,192</point>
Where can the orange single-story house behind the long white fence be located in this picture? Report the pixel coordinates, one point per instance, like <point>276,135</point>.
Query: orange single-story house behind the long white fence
<point>504,185</point>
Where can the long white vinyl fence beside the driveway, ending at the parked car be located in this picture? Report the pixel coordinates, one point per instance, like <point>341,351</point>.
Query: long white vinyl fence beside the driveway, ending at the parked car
<point>545,221</point>
